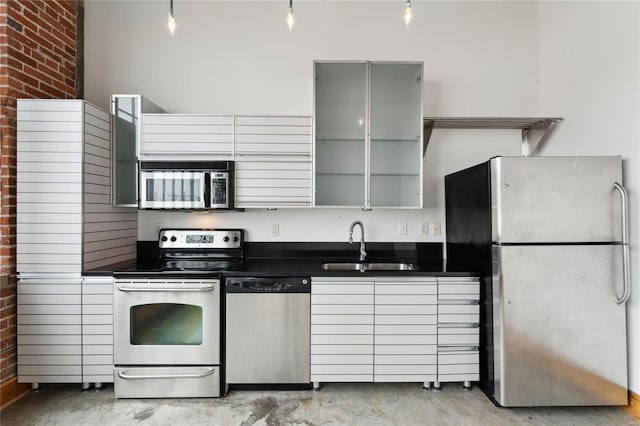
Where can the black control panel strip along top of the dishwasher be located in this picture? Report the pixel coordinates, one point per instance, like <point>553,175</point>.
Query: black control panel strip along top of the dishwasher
<point>268,285</point>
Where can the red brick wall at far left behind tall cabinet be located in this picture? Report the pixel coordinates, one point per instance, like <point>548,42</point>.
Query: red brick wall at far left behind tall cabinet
<point>38,42</point>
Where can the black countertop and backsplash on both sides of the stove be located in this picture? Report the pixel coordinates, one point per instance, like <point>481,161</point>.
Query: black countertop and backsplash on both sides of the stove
<point>306,259</point>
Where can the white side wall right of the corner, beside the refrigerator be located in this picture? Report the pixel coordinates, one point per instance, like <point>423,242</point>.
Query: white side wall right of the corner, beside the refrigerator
<point>589,59</point>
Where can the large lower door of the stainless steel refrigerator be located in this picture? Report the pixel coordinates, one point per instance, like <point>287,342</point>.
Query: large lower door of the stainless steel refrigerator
<point>559,336</point>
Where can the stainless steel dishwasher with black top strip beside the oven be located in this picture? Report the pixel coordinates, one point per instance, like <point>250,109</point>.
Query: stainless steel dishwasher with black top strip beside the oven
<point>267,327</point>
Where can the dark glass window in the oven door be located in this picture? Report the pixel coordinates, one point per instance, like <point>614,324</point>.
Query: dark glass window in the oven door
<point>166,324</point>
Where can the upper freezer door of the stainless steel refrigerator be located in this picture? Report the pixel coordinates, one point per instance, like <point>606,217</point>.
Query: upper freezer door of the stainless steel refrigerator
<point>555,199</point>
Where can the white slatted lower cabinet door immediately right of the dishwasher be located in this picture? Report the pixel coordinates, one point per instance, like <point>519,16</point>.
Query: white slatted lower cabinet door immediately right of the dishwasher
<point>341,330</point>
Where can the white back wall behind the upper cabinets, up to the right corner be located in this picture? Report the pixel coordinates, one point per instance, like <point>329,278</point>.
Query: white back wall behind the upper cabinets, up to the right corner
<point>239,57</point>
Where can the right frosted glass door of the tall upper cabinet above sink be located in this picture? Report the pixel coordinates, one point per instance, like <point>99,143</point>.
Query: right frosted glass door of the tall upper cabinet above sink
<point>396,153</point>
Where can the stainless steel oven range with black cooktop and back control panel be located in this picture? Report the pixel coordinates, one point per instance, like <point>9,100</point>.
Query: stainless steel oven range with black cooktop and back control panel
<point>167,316</point>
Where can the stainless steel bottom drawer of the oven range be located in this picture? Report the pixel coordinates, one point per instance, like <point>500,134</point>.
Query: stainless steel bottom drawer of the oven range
<point>166,382</point>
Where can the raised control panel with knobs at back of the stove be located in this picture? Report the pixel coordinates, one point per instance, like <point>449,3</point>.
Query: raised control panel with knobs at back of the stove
<point>200,238</point>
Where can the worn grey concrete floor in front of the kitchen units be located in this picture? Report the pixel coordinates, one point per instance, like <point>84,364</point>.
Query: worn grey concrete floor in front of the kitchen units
<point>335,404</point>
